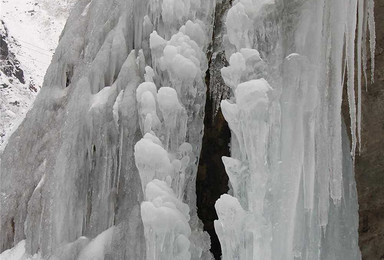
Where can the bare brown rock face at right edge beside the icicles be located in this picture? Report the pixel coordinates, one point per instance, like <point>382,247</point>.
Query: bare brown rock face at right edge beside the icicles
<point>369,167</point>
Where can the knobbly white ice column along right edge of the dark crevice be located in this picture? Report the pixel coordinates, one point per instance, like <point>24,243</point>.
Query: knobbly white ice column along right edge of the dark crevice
<point>248,117</point>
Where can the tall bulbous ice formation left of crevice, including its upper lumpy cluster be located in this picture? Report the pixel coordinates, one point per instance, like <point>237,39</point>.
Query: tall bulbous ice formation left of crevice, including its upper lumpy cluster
<point>166,161</point>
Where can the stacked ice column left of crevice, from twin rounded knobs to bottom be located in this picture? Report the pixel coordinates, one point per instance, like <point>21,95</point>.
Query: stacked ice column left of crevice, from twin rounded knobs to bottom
<point>165,216</point>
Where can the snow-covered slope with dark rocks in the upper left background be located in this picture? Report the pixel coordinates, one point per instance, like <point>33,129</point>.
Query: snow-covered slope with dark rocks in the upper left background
<point>29,30</point>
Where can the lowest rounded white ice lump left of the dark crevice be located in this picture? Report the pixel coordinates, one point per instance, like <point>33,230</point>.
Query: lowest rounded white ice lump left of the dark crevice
<point>165,220</point>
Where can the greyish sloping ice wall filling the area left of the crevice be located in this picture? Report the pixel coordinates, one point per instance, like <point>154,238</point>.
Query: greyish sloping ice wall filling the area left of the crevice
<point>123,71</point>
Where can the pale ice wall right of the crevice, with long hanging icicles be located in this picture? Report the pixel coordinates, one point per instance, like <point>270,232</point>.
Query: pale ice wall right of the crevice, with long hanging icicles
<point>293,194</point>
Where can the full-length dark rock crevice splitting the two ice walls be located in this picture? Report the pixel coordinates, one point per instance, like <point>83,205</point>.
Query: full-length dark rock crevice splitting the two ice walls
<point>212,179</point>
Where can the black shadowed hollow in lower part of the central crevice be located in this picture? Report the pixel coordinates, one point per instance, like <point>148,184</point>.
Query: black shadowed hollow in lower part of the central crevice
<point>212,180</point>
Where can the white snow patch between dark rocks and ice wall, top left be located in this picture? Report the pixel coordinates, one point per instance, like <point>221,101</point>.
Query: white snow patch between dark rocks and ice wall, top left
<point>36,26</point>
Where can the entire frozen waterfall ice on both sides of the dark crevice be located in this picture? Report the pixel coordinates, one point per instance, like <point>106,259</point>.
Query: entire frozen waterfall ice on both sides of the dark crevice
<point>104,165</point>
